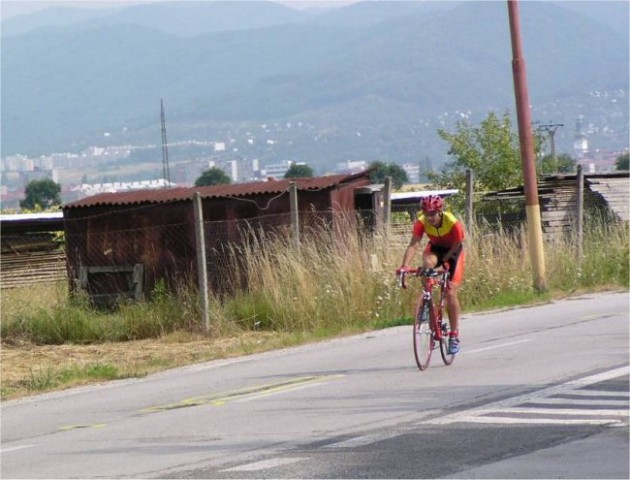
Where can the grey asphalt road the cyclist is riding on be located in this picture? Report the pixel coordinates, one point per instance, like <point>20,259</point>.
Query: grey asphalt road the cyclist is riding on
<point>538,392</point>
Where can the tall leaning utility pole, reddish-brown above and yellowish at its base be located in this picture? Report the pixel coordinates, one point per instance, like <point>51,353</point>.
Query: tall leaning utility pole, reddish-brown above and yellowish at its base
<point>528,159</point>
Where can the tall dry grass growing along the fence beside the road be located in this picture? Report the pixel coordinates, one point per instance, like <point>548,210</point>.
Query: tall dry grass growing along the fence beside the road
<point>334,282</point>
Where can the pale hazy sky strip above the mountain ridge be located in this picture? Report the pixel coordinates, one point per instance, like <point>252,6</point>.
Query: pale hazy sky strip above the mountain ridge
<point>10,8</point>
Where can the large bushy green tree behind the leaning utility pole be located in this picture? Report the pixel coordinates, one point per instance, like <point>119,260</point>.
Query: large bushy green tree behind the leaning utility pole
<point>490,150</point>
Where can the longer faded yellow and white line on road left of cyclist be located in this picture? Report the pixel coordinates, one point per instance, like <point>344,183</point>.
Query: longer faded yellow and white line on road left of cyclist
<point>220,399</point>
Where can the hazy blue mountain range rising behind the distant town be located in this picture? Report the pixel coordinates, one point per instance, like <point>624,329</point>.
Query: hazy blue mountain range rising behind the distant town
<point>372,80</point>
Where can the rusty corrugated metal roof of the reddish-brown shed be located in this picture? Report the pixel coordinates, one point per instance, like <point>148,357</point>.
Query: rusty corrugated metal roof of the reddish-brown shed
<point>179,194</point>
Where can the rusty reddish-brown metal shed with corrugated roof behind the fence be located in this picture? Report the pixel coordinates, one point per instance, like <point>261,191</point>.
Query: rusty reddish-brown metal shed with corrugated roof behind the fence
<point>126,242</point>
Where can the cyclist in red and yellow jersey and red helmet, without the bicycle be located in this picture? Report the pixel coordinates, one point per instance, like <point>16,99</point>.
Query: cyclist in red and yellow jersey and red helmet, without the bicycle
<point>445,247</point>
